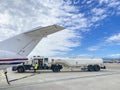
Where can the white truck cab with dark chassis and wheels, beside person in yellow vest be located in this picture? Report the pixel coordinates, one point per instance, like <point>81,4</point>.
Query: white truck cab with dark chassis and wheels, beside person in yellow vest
<point>43,64</point>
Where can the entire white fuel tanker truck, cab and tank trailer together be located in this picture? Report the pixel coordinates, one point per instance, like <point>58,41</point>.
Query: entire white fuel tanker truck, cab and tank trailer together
<point>56,64</point>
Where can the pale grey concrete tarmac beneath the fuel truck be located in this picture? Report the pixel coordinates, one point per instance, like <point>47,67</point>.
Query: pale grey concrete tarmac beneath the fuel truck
<point>108,79</point>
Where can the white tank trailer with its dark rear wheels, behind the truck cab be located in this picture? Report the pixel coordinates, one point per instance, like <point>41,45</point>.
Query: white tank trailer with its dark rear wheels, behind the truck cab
<point>86,64</point>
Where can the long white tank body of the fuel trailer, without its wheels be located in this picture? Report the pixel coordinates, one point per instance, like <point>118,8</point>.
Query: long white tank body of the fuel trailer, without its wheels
<point>78,61</point>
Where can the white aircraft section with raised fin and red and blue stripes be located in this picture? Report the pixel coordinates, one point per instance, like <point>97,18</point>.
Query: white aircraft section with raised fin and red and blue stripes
<point>15,49</point>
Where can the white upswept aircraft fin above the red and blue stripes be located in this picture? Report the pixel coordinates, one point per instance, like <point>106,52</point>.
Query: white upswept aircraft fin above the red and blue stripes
<point>24,43</point>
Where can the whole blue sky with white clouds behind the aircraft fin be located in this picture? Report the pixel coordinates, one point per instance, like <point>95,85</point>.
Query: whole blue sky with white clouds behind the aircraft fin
<point>92,27</point>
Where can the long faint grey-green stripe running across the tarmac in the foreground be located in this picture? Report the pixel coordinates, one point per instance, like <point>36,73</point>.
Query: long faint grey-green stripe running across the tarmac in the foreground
<point>64,79</point>
